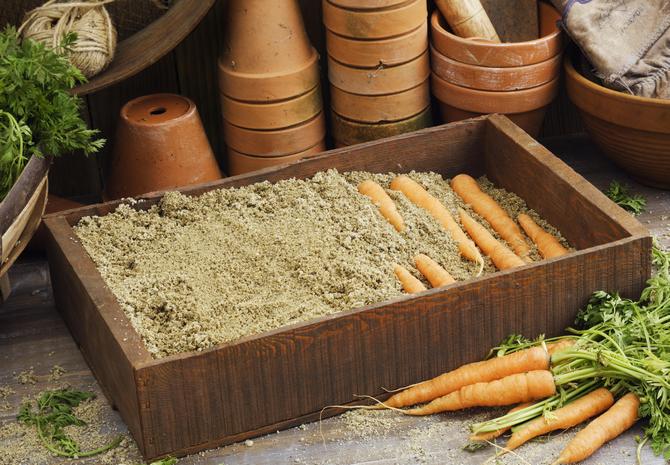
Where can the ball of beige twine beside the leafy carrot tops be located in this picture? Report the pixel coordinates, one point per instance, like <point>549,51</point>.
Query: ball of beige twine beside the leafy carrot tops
<point>96,35</point>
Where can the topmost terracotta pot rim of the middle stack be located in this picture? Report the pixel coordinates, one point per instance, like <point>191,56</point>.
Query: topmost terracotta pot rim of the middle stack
<point>375,24</point>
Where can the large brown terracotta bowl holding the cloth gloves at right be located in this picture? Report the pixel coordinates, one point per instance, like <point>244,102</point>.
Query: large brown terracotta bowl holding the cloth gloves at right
<point>633,131</point>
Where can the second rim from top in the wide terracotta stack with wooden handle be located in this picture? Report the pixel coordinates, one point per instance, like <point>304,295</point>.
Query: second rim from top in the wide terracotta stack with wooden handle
<point>494,79</point>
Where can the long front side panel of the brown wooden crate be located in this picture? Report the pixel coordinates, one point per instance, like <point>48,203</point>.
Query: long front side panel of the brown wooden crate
<point>237,391</point>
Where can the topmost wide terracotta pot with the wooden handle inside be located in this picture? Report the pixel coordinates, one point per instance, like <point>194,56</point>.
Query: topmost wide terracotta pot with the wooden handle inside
<point>500,55</point>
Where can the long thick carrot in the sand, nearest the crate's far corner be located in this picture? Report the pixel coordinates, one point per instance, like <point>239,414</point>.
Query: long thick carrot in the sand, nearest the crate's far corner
<point>468,189</point>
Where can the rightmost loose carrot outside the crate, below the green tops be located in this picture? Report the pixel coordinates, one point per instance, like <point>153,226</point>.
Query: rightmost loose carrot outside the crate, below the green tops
<point>621,416</point>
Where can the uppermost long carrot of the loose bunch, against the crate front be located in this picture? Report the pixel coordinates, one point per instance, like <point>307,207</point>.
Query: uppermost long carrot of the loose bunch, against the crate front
<point>535,358</point>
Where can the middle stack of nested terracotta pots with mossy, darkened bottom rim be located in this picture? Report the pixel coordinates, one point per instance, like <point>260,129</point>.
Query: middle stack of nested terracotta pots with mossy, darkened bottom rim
<point>378,67</point>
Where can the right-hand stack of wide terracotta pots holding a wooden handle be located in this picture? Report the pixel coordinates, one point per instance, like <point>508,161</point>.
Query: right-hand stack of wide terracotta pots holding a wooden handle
<point>473,76</point>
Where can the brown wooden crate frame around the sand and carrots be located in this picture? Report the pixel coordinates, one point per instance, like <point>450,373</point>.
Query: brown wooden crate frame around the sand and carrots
<point>189,402</point>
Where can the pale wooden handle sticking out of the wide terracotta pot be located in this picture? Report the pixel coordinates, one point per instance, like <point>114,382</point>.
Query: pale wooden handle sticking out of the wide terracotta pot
<point>467,18</point>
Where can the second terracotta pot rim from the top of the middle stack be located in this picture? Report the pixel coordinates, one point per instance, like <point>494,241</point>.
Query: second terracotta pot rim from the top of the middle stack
<point>382,52</point>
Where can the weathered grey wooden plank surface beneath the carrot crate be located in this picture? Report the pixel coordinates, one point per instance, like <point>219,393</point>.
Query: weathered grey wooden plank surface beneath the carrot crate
<point>33,336</point>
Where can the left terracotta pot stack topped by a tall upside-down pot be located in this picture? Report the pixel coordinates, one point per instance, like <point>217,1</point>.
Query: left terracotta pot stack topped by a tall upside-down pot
<point>269,85</point>
